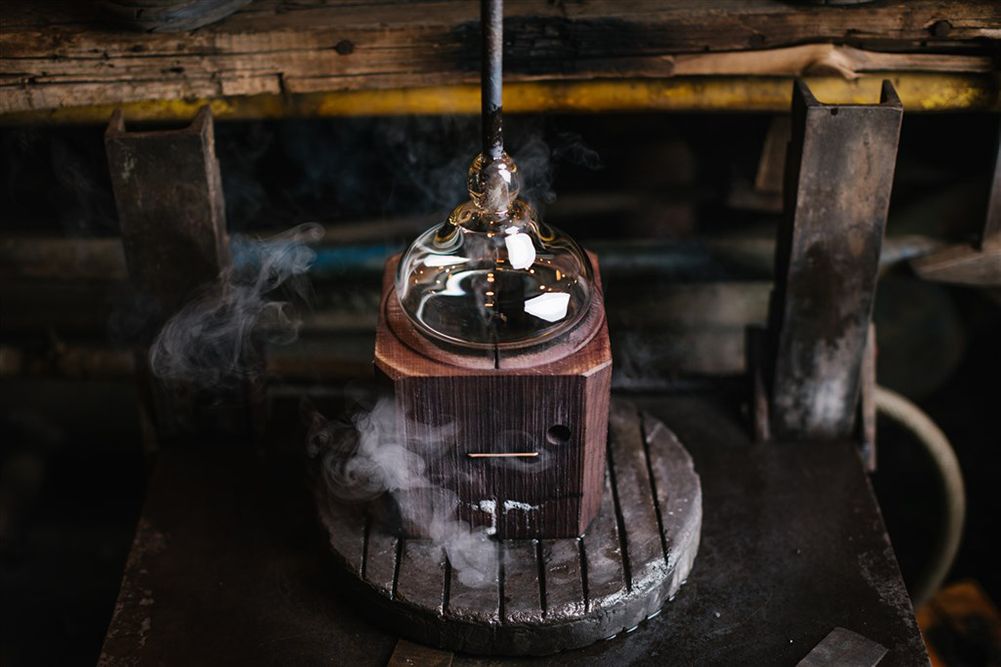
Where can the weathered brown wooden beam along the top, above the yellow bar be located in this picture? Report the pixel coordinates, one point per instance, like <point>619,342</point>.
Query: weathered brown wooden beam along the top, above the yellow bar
<point>53,59</point>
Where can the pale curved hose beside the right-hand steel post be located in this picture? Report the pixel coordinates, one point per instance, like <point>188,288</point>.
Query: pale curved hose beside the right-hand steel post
<point>909,416</point>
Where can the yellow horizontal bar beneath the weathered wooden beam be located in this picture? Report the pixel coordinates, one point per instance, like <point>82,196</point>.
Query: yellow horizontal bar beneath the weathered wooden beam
<point>918,92</point>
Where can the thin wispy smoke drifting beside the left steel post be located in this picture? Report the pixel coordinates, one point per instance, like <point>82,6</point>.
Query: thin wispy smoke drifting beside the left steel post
<point>218,337</point>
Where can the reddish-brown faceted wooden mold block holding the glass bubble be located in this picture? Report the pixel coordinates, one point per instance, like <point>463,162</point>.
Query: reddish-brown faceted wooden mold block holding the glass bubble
<point>519,436</point>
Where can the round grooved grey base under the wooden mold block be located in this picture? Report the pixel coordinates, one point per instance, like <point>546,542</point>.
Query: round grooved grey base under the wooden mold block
<point>549,595</point>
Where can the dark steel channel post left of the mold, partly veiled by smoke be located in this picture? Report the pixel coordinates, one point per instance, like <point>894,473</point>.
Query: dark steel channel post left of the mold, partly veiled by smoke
<point>172,212</point>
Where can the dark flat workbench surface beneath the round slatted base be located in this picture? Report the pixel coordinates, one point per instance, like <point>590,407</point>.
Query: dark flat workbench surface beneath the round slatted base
<point>230,565</point>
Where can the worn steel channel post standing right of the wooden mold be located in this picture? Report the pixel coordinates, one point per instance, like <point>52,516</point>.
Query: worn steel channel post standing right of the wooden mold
<point>839,177</point>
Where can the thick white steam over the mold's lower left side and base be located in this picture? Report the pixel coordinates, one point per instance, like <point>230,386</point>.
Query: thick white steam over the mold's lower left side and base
<point>363,459</point>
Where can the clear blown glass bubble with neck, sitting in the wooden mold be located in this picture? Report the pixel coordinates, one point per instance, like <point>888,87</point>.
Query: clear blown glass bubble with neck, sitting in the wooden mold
<point>493,275</point>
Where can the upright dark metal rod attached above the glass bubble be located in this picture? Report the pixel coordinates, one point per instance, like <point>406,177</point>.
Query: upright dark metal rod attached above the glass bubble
<point>492,78</point>
